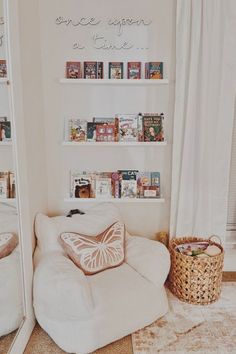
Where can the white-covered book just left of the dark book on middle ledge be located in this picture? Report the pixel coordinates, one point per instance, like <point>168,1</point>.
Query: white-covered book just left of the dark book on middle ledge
<point>128,127</point>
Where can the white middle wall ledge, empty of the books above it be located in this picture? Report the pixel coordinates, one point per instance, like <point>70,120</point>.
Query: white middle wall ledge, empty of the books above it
<point>117,144</point>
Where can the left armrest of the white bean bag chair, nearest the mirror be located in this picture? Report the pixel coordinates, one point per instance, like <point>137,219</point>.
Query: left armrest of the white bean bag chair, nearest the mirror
<point>61,288</point>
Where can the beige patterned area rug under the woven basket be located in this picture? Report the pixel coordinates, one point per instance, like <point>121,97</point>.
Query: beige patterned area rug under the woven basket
<point>194,329</point>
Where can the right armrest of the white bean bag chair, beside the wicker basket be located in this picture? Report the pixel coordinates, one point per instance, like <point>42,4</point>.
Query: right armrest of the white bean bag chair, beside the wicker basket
<point>149,258</point>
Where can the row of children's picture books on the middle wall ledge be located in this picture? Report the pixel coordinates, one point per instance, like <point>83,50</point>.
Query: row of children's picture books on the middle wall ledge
<point>140,127</point>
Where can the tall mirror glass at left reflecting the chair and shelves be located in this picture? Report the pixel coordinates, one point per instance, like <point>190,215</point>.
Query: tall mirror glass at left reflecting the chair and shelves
<point>11,289</point>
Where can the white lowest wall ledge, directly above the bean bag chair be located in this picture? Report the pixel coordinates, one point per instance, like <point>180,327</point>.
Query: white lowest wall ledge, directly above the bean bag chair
<point>115,200</point>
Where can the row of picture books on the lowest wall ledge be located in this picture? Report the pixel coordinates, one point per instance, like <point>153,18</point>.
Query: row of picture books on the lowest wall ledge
<point>120,184</point>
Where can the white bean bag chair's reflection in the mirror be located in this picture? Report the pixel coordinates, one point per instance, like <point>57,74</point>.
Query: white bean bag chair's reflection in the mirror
<point>11,304</point>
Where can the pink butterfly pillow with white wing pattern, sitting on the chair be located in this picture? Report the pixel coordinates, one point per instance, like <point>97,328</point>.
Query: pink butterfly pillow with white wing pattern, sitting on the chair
<point>96,253</point>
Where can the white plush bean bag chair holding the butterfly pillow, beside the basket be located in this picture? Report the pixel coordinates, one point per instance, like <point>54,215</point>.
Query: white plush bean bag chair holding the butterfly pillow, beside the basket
<point>82,313</point>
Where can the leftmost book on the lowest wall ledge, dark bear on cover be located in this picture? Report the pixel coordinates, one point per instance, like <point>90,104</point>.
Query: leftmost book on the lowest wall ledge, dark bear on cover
<point>80,185</point>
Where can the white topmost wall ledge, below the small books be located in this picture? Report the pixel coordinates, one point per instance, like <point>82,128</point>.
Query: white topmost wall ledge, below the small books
<point>115,82</point>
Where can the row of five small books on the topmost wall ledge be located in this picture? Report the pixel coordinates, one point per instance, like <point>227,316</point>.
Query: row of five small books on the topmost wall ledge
<point>95,70</point>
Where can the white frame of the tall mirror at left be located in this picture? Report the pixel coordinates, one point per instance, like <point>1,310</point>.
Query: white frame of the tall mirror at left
<point>12,35</point>
